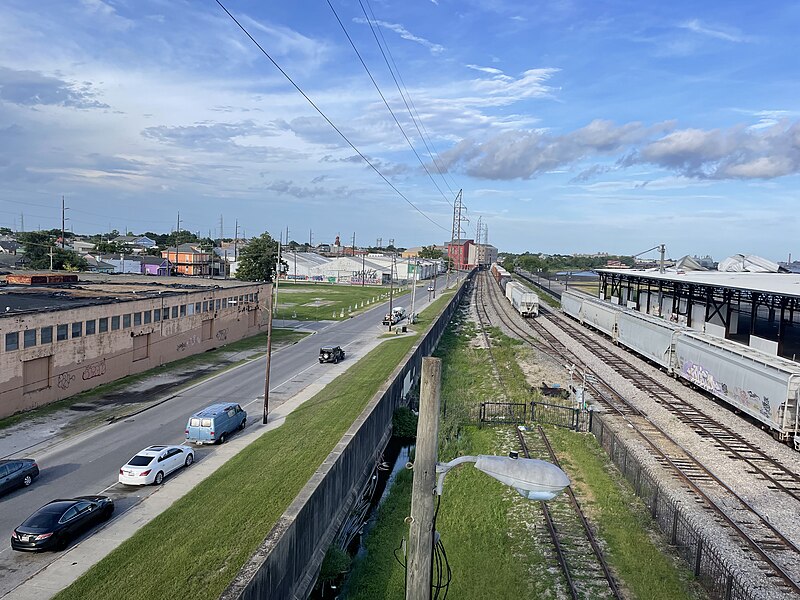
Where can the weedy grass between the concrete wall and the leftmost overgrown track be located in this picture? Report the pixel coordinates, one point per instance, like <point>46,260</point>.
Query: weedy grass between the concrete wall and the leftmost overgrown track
<point>482,523</point>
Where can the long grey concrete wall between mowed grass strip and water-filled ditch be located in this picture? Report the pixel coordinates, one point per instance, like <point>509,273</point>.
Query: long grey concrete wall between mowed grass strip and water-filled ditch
<point>288,561</point>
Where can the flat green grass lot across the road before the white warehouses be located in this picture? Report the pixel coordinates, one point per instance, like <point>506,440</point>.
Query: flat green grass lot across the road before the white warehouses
<point>321,301</point>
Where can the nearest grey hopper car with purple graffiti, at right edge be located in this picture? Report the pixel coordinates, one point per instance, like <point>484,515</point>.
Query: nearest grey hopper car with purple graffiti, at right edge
<point>763,386</point>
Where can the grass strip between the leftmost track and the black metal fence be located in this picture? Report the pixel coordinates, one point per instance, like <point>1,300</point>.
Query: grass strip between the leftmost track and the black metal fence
<point>623,522</point>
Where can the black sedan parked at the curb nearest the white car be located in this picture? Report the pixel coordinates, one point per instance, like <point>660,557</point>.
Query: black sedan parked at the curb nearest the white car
<point>57,523</point>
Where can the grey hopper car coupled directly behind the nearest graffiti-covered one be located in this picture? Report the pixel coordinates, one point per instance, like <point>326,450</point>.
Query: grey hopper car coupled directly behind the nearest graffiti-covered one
<point>651,337</point>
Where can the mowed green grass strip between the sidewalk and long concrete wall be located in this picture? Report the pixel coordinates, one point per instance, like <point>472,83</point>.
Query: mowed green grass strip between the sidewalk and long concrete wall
<point>202,541</point>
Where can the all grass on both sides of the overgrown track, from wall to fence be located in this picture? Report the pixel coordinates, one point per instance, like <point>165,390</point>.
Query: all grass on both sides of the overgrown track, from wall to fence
<point>486,527</point>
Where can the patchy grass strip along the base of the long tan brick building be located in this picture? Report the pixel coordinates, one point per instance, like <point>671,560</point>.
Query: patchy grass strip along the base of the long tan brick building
<point>251,346</point>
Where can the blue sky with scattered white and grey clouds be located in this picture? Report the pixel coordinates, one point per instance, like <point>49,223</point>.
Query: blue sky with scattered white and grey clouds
<point>568,126</point>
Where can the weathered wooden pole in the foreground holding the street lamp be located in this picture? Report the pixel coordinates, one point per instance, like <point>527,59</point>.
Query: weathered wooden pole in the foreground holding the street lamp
<point>421,530</point>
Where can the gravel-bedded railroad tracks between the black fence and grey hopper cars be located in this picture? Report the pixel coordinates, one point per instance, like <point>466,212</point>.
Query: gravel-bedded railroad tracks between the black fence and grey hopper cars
<point>777,557</point>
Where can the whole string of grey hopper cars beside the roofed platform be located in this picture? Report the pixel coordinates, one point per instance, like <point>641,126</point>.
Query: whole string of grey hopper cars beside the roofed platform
<point>763,386</point>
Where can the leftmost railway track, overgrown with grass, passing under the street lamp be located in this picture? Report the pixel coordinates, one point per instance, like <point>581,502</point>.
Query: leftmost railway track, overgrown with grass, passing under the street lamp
<point>578,553</point>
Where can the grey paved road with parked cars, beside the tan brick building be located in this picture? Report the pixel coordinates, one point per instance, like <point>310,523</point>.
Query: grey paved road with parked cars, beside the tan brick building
<point>89,462</point>
